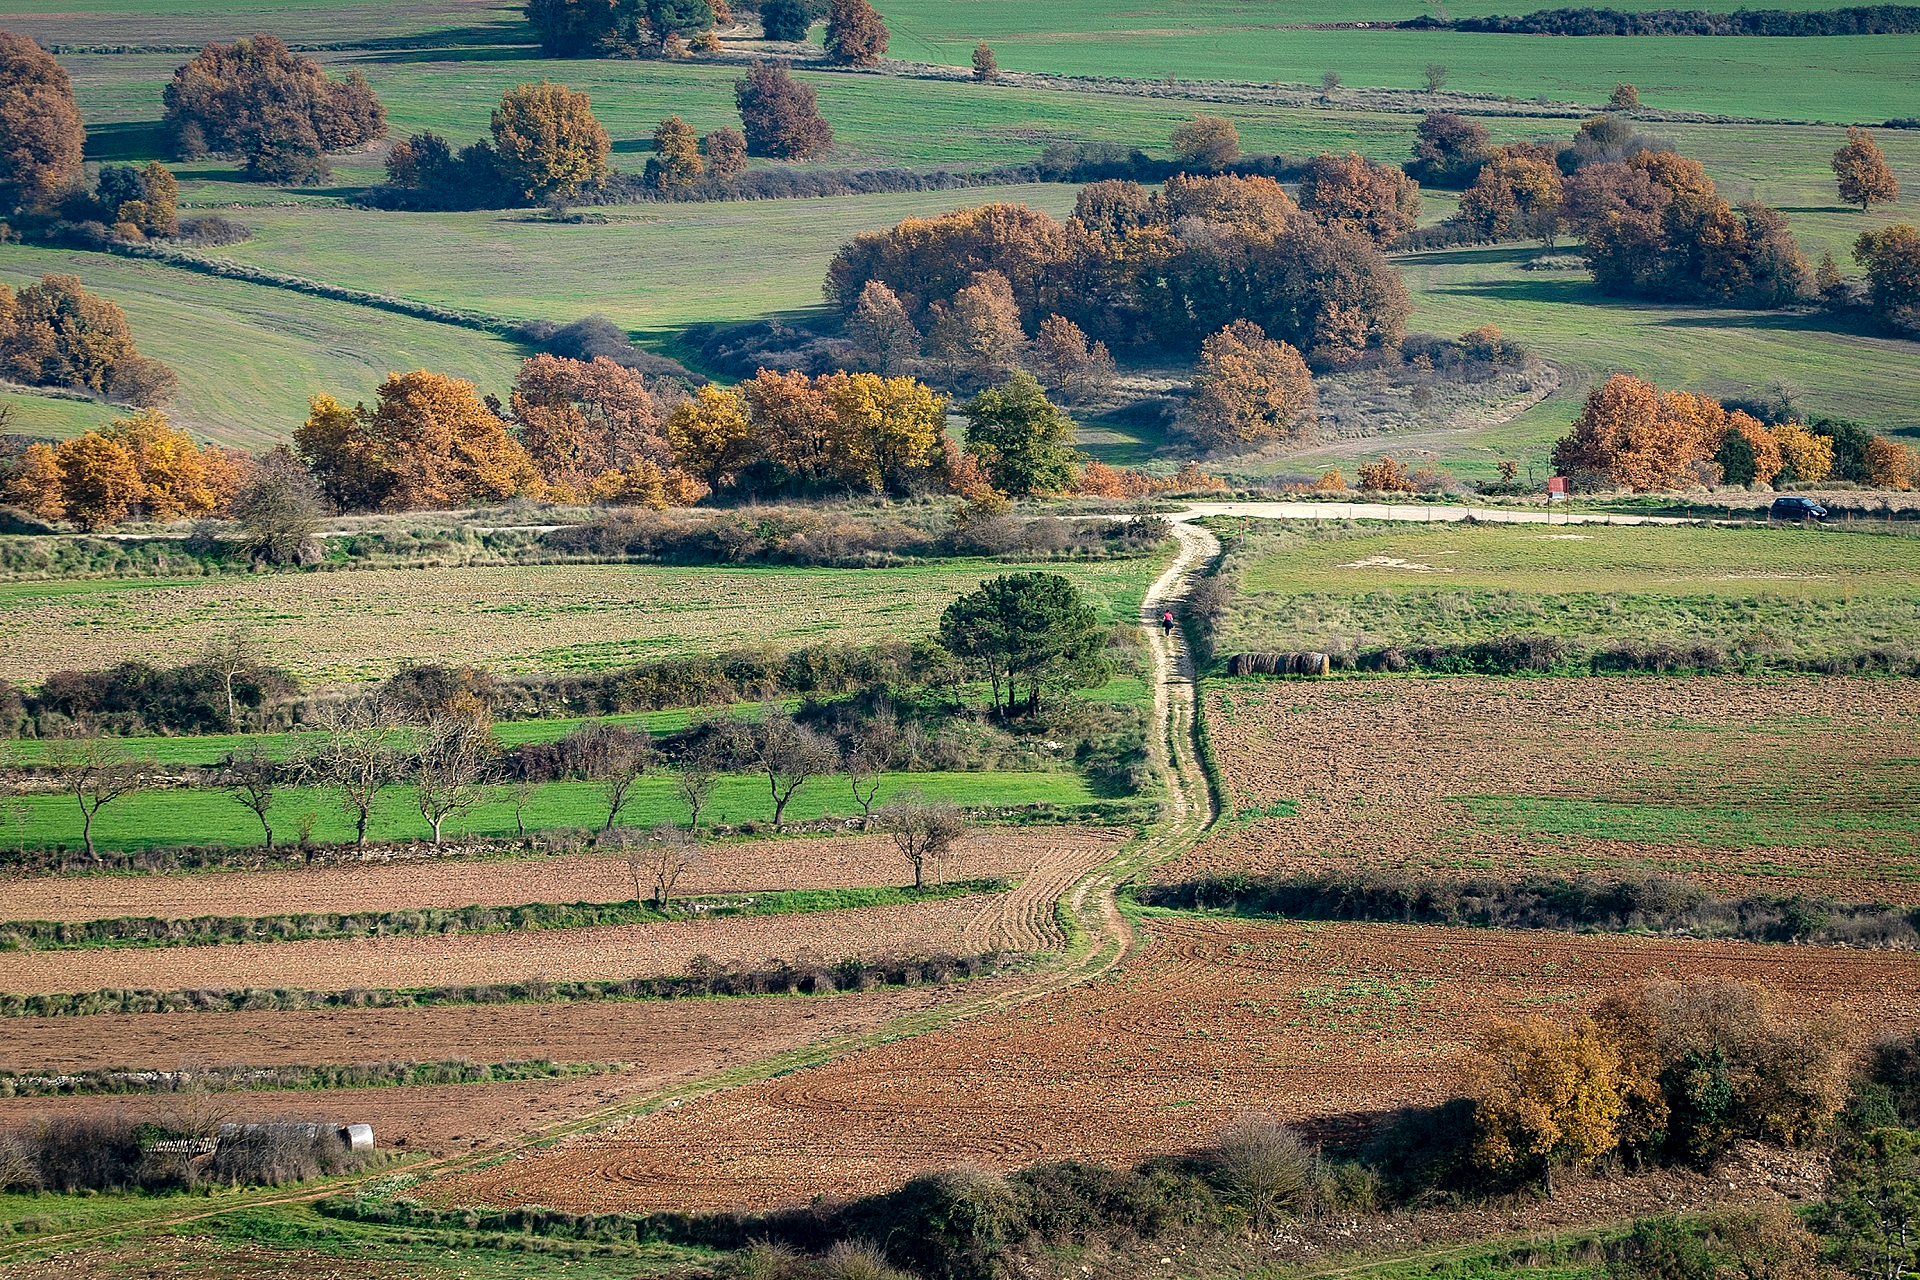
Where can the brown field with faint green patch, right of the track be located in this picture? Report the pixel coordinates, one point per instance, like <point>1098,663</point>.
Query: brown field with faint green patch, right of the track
<point>1785,786</point>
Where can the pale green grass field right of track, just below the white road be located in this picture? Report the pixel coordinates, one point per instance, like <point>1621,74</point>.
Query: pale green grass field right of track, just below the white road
<point>1767,592</point>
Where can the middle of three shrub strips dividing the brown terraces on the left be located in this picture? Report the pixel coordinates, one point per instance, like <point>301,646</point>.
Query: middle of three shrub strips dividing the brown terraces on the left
<point>704,980</point>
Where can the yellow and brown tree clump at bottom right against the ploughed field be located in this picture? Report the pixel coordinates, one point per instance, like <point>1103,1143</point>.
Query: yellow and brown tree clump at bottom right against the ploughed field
<point>1669,1074</point>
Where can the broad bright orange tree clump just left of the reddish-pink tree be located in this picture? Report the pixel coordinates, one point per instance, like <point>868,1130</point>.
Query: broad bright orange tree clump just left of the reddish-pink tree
<point>427,444</point>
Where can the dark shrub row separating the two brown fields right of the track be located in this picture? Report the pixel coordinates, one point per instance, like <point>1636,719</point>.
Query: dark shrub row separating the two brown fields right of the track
<point>1656,905</point>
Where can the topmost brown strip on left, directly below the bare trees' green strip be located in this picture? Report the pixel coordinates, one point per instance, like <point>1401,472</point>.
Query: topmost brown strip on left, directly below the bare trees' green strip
<point>757,866</point>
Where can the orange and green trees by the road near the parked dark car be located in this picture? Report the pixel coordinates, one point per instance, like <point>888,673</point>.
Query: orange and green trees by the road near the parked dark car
<point>1635,437</point>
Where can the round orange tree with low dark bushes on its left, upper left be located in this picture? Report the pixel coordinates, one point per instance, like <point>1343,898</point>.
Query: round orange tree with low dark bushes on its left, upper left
<point>546,147</point>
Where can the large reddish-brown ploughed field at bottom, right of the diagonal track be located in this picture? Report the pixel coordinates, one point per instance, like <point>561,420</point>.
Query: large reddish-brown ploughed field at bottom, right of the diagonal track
<point>1209,1020</point>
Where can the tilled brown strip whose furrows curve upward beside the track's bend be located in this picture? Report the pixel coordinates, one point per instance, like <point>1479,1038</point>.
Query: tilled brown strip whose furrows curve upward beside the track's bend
<point>1019,920</point>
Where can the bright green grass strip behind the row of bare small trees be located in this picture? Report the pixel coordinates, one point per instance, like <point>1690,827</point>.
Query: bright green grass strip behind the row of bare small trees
<point>168,818</point>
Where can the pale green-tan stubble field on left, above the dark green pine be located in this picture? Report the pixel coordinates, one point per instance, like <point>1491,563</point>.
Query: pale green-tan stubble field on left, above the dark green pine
<point>577,617</point>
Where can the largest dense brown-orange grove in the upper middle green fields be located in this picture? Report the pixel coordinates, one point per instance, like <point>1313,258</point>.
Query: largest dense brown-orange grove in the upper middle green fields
<point>1147,270</point>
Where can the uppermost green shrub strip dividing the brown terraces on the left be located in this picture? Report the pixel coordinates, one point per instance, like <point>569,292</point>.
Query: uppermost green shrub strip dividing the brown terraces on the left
<point>47,936</point>
